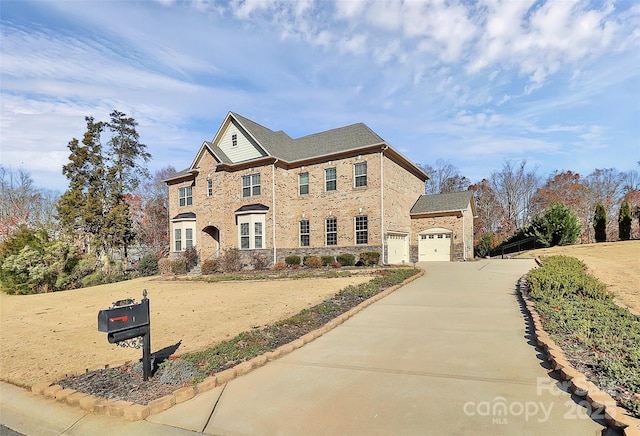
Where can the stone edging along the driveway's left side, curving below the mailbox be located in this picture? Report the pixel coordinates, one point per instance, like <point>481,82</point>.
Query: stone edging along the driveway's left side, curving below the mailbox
<point>137,412</point>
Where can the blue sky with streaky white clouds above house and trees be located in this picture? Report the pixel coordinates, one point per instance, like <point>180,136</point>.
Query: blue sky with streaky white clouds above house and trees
<point>473,83</point>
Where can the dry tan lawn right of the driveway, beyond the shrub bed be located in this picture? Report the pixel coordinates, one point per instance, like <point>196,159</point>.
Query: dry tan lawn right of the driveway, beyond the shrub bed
<point>616,264</point>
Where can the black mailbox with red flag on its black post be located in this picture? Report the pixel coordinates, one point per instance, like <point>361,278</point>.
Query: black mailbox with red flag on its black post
<point>126,320</point>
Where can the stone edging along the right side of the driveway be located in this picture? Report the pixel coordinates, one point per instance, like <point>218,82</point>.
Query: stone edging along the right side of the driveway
<point>599,401</point>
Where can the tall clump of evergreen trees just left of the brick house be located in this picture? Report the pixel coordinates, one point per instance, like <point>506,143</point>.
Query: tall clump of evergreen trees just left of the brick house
<point>95,207</point>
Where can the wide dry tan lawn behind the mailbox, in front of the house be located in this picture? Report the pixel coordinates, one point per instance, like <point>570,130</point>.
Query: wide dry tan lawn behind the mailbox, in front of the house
<point>45,336</point>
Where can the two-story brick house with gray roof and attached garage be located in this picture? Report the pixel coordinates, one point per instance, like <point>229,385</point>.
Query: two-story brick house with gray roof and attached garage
<point>341,191</point>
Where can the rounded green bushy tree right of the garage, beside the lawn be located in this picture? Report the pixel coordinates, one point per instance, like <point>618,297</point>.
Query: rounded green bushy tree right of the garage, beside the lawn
<point>558,225</point>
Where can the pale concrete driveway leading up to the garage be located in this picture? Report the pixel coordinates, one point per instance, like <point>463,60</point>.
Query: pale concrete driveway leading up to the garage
<point>445,354</point>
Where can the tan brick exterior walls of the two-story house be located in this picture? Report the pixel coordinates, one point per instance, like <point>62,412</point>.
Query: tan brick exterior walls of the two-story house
<point>392,186</point>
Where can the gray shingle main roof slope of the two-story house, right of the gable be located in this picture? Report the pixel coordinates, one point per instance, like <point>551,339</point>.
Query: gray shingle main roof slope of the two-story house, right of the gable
<point>282,146</point>
